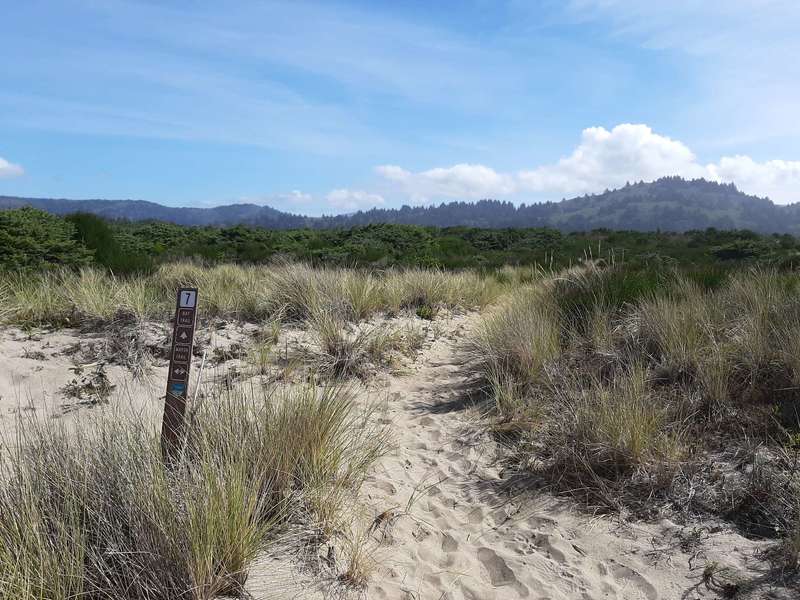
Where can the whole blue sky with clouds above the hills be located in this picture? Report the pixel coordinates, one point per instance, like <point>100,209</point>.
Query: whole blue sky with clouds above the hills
<point>334,106</point>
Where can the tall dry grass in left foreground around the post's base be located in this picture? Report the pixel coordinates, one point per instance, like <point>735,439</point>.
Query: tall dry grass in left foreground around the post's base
<point>94,514</point>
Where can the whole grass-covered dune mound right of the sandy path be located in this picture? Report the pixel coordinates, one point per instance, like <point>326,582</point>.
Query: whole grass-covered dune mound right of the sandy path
<point>635,378</point>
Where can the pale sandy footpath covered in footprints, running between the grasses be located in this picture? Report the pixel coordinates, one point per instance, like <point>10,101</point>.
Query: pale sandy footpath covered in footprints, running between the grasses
<point>466,536</point>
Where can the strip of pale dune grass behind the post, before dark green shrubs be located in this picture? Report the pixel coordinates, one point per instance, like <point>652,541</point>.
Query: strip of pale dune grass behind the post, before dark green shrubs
<point>284,291</point>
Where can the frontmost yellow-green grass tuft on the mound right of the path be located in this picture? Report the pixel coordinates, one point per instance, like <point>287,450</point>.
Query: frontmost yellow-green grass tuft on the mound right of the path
<point>612,438</point>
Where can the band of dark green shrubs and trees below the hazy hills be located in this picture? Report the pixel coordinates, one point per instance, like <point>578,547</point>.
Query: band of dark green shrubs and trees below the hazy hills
<point>34,240</point>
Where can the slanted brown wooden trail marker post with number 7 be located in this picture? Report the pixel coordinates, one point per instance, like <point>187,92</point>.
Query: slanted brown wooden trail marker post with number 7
<point>180,360</point>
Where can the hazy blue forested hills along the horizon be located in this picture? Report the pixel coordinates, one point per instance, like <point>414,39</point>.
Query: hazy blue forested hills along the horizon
<point>668,204</point>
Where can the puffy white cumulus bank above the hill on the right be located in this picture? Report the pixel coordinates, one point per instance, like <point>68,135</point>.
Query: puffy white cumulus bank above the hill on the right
<point>602,159</point>
